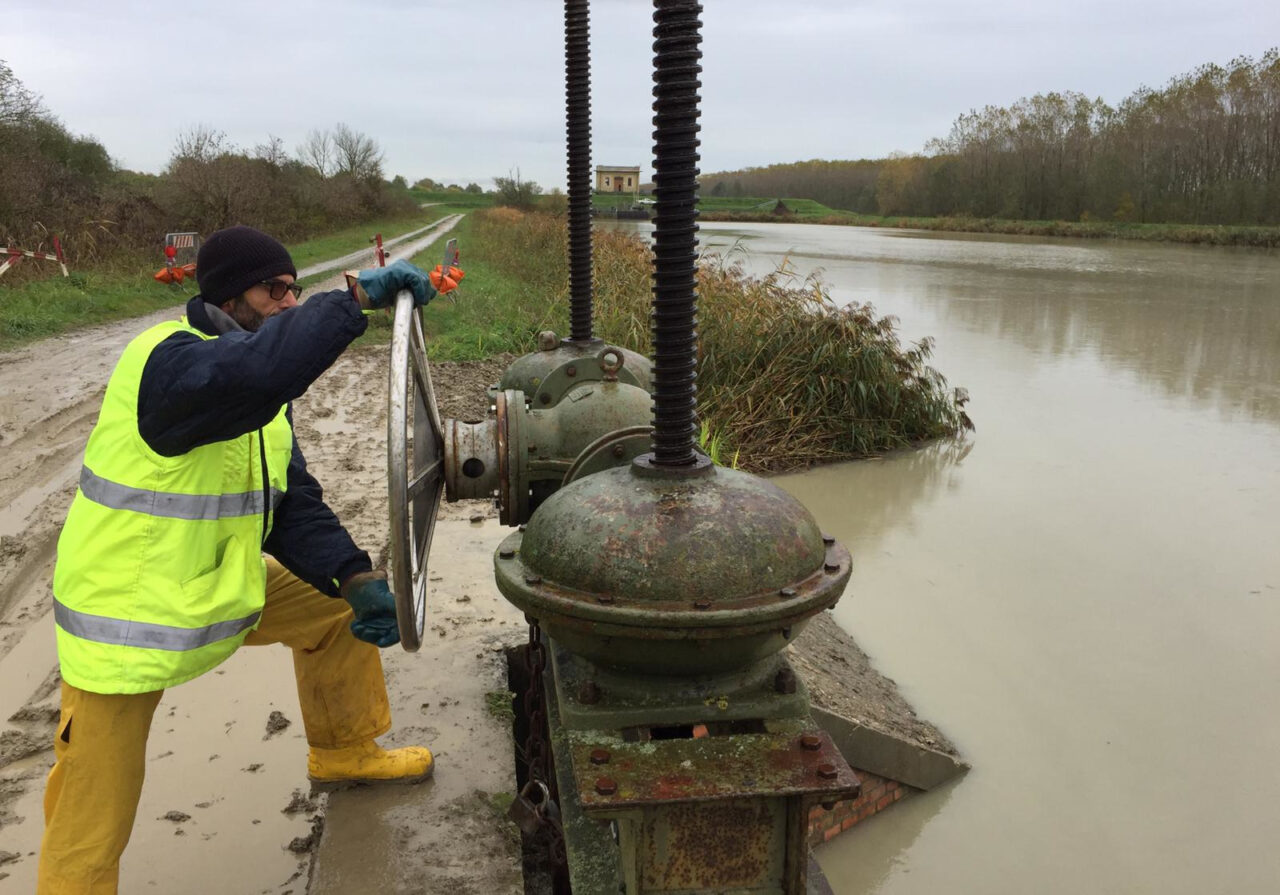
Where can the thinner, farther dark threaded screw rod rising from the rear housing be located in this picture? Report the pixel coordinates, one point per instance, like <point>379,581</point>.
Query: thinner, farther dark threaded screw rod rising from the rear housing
<point>578,122</point>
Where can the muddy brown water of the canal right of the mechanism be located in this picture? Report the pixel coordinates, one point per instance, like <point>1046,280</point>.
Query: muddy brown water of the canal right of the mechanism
<point>1086,597</point>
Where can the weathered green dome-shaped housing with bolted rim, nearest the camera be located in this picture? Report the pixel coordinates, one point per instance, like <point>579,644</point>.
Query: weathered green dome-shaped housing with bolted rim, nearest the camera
<point>698,572</point>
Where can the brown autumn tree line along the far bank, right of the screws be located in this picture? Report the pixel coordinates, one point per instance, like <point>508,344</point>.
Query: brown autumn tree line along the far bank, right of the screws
<point>1205,149</point>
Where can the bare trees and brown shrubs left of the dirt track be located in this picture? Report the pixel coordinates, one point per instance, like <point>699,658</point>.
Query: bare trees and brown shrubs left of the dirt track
<point>56,182</point>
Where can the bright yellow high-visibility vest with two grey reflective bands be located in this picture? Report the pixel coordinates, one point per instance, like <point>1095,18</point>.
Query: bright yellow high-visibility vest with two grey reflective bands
<point>161,573</point>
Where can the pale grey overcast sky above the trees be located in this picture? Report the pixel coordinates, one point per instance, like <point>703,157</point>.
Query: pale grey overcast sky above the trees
<point>467,90</point>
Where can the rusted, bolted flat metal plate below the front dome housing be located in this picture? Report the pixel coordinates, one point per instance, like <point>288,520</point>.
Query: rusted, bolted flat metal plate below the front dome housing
<point>802,761</point>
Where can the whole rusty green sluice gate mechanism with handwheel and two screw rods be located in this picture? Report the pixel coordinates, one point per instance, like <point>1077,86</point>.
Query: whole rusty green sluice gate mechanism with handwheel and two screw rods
<point>668,742</point>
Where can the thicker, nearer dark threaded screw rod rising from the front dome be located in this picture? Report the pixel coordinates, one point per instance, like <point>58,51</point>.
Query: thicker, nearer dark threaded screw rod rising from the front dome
<point>675,305</point>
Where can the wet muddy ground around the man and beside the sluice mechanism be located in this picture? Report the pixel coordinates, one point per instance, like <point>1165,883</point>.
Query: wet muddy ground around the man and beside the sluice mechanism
<point>227,807</point>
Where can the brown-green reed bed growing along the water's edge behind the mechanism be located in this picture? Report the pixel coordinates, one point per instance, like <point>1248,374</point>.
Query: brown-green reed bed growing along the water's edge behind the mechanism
<point>785,378</point>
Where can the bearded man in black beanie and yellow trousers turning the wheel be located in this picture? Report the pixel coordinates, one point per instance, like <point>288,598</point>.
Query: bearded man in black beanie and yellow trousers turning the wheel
<point>191,474</point>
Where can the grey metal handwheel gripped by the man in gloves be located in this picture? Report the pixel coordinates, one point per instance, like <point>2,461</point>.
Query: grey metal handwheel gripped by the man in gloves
<point>415,468</point>
